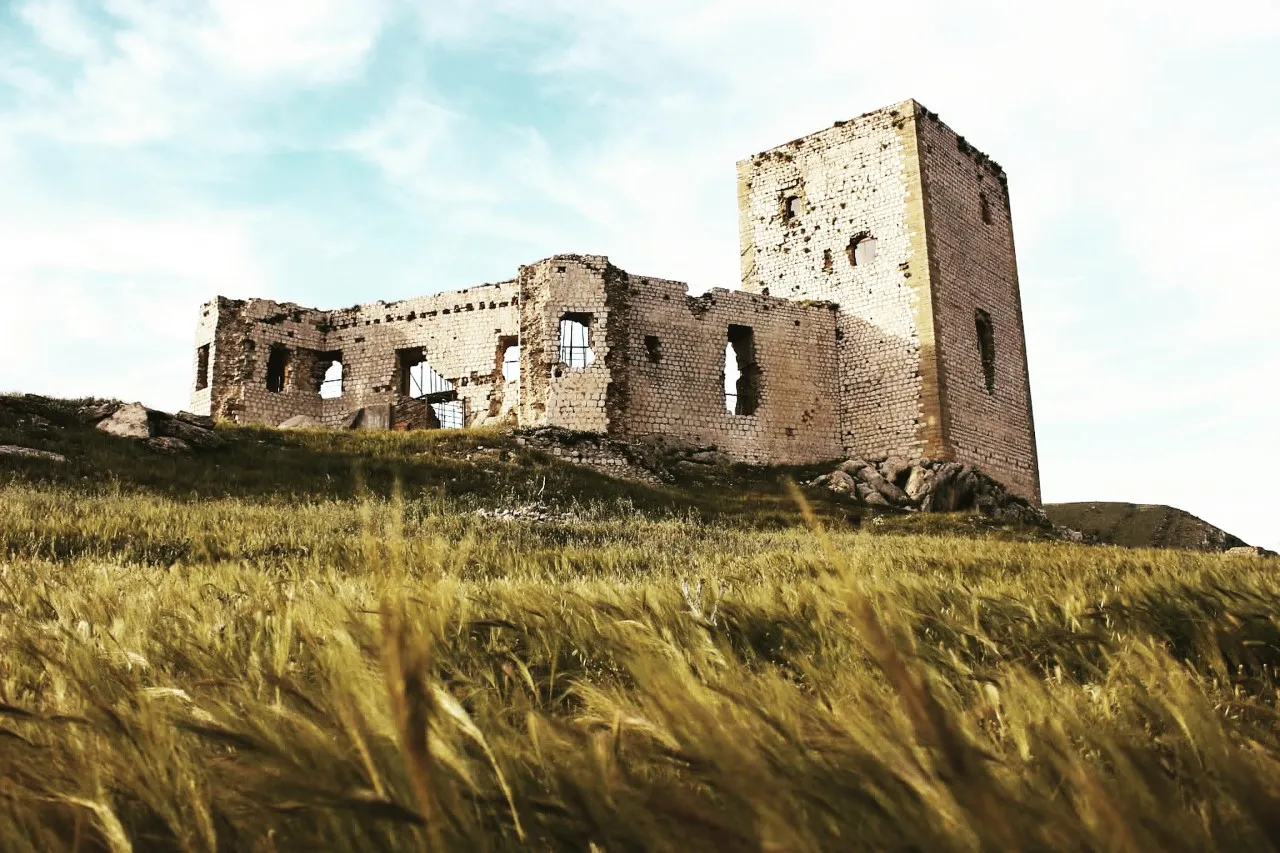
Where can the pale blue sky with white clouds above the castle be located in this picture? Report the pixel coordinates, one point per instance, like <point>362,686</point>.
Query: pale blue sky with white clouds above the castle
<point>154,154</point>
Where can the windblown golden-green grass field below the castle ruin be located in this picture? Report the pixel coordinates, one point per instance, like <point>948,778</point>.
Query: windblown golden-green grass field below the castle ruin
<point>312,642</point>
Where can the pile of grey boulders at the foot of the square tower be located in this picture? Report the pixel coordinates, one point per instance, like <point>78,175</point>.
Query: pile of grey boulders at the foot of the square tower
<point>929,486</point>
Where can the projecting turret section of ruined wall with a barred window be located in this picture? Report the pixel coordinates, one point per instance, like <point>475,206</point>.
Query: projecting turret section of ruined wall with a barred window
<point>551,393</point>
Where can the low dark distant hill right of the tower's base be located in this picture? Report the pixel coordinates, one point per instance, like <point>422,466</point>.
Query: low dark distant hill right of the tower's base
<point>1142,526</point>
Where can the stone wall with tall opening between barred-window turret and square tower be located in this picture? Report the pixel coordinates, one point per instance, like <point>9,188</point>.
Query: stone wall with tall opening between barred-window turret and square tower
<point>675,368</point>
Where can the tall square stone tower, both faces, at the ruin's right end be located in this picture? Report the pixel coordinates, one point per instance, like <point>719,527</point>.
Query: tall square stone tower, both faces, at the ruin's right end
<point>907,227</point>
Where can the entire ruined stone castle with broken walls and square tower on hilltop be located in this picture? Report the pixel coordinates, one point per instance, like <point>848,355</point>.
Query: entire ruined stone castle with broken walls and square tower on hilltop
<point>879,316</point>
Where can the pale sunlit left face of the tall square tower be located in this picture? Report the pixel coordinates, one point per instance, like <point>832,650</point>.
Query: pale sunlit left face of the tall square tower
<point>857,181</point>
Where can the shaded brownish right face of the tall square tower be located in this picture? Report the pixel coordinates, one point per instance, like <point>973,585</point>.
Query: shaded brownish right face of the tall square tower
<point>973,270</point>
